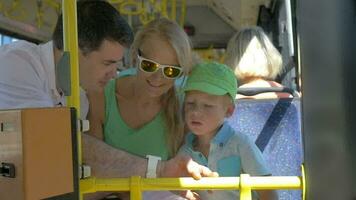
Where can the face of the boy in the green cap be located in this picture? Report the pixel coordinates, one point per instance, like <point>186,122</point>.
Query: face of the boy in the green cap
<point>204,113</point>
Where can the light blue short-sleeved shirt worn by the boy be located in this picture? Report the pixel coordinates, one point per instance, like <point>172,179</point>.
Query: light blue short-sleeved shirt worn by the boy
<point>230,154</point>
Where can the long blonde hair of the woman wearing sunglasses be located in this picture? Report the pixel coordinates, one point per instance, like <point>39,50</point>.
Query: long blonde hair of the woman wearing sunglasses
<point>171,32</point>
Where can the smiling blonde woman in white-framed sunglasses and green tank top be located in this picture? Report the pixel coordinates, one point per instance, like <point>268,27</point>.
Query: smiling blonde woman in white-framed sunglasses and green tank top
<point>140,113</point>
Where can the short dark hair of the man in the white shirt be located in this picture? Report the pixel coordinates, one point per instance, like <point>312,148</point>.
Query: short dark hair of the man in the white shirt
<point>97,20</point>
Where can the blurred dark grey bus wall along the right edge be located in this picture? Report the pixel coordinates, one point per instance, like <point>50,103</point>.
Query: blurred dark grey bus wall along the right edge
<point>327,47</point>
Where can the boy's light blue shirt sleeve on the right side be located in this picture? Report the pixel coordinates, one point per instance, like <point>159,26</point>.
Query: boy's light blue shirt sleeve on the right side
<point>251,158</point>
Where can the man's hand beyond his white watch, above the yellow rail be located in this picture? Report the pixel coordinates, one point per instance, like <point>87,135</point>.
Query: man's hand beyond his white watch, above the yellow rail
<point>184,166</point>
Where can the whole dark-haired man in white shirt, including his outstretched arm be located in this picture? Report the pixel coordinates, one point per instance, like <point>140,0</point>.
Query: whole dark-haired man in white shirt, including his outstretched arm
<point>29,76</point>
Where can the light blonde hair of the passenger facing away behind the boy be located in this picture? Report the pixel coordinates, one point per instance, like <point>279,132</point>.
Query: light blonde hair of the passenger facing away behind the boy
<point>251,54</point>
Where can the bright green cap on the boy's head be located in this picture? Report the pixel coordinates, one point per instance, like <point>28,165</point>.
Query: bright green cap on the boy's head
<point>212,78</point>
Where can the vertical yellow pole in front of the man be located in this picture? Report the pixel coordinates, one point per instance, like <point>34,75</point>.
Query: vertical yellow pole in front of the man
<point>70,42</point>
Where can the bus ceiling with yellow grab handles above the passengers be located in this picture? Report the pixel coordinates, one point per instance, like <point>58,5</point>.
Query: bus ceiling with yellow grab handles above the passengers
<point>33,19</point>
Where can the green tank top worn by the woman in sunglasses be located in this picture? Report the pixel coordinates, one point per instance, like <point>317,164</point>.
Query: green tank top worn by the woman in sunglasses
<point>148,140</point>
